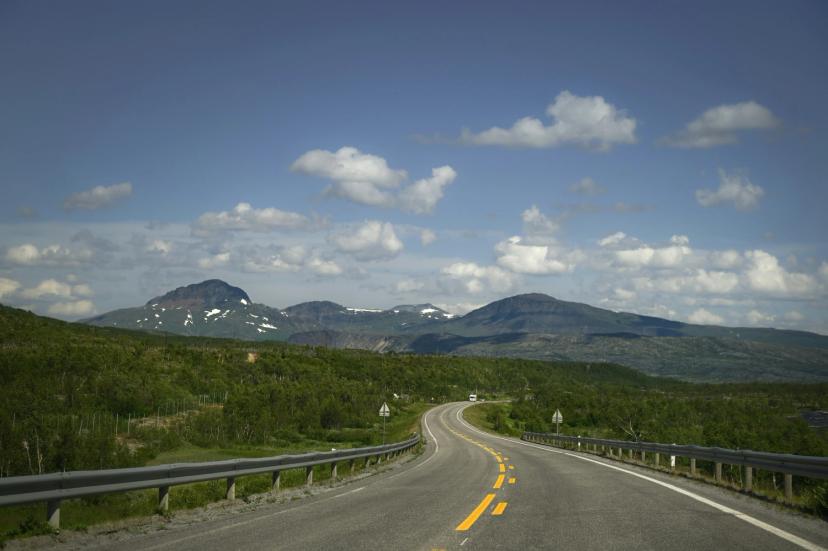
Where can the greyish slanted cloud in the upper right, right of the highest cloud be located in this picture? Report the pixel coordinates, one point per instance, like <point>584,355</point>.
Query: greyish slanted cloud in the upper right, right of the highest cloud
<point>719,125</point>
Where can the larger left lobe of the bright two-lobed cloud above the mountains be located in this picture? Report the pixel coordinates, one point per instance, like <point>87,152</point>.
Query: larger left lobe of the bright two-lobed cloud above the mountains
<point>360,177</point>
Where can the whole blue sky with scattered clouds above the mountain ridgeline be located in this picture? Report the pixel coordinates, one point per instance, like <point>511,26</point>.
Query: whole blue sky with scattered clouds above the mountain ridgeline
<point>665,158</point>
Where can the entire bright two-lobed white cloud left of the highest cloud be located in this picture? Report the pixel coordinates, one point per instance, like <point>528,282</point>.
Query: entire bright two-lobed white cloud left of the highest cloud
<point>368,180</point>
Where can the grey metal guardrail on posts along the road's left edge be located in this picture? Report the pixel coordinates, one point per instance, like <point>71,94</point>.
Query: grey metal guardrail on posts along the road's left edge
<point>55,487</point>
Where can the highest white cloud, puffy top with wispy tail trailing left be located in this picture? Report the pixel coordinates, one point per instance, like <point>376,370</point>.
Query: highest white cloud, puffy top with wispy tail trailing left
<point>588,121</point>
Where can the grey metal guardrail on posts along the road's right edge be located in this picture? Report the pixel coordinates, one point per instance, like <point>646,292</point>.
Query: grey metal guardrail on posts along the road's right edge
<point>787,464</point>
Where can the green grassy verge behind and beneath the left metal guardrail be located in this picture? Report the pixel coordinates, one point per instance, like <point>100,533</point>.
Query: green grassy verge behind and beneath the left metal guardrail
<point>79,514</point>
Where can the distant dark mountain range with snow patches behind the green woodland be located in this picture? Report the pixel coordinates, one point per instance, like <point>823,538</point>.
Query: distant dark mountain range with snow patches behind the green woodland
<point>534,326</point>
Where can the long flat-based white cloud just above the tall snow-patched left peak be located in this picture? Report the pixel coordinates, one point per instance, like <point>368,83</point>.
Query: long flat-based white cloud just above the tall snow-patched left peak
<point>244,217</point>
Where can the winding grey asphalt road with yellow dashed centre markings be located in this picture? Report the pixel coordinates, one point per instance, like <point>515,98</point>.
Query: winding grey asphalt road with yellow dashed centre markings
<point>454,496</point>
